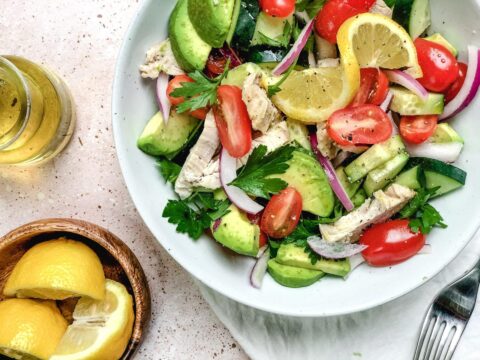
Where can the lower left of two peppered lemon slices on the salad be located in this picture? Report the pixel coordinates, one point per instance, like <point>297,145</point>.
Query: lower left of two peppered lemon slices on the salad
<point>311,96</point>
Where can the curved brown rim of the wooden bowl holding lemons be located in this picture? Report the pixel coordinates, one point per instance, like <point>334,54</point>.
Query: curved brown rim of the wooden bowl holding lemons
<point>99,235</point>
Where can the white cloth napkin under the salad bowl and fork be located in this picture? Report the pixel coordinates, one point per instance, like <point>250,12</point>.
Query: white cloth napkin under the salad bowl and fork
<point>387,332</point>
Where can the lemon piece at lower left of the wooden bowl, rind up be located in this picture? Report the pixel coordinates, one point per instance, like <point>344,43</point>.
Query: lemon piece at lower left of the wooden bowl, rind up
<point>30,329</point>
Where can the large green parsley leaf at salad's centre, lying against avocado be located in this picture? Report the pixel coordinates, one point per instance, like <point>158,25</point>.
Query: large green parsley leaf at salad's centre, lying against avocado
<point>256,176</point>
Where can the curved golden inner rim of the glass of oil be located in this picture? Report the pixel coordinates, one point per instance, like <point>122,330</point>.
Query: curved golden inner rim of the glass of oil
<point>25,99</point>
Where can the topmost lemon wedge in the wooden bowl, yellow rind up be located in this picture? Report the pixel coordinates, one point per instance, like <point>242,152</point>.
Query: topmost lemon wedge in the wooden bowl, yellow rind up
<point>57,270</point>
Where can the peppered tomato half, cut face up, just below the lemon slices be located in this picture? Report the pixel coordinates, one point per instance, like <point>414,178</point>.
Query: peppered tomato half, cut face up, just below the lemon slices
<point>361,125</point>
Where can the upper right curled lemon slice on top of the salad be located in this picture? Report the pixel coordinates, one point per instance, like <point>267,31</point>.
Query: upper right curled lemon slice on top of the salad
<point>377,41</point>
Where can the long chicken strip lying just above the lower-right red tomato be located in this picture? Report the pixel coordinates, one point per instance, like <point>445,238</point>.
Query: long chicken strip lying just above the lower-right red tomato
<point>383,206</point>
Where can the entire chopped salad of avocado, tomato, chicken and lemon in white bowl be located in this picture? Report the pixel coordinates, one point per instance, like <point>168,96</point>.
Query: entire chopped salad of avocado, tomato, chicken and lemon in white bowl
<point>311,135</point>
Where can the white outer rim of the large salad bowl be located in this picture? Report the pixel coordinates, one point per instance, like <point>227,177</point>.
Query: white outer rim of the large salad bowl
<point>121,63</point>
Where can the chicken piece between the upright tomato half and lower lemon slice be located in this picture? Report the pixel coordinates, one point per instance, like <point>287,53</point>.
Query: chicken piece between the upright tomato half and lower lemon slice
<point>261,110</point>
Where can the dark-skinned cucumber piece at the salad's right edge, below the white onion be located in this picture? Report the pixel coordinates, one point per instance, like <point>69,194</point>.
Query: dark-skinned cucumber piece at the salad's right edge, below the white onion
<point>439,174</point>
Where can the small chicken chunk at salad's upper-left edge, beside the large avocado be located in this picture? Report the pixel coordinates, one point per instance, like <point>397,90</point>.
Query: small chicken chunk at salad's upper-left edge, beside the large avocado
<point>160,58</point>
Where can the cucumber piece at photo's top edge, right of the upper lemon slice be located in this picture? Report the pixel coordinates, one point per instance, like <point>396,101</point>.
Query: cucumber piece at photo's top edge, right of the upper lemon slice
<point>413,15</point>
